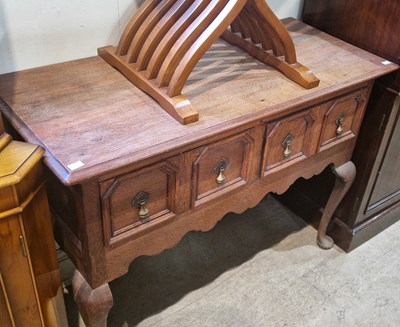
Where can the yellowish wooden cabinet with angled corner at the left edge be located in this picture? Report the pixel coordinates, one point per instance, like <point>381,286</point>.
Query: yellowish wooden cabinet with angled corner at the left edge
<point>30,284</point>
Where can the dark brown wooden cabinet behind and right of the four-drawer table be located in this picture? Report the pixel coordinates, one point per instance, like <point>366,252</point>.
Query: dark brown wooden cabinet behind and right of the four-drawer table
<point>373,202</point>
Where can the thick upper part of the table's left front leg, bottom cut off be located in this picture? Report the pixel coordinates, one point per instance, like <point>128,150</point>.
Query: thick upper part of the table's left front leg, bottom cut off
<point>93,304</point>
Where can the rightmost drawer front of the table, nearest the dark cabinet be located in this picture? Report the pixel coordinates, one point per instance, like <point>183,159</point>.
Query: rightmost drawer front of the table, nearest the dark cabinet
<point>342,118</point>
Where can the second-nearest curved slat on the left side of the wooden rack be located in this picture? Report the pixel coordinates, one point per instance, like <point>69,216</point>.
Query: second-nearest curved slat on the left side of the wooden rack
<point>186,40</point>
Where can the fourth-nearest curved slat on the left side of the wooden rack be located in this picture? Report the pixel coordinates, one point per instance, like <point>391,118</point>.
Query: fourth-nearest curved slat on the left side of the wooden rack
<point>159,31</point>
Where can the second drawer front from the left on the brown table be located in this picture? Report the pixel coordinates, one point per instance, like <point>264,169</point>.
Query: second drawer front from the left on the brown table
<point>221,167</point>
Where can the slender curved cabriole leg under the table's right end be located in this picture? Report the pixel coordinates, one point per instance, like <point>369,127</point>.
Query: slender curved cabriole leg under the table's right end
<point>345,175</point>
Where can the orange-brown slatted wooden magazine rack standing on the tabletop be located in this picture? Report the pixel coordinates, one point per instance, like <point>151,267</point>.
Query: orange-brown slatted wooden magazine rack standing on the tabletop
<point>165,39</point>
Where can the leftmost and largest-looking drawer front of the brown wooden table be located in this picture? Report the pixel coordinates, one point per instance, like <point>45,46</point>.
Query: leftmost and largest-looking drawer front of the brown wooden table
<point>137,200</point>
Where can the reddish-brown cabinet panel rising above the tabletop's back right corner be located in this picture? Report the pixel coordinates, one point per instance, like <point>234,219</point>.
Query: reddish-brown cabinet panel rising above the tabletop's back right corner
<point>374,28</point>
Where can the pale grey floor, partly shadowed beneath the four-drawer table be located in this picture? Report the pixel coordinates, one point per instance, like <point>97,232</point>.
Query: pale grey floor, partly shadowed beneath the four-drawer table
<point>261,268</point>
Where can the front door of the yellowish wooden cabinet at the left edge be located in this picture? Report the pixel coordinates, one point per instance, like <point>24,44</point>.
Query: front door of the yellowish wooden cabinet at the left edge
<point>16,275</point>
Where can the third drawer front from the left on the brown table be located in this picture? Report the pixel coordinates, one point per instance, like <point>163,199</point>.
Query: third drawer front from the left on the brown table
<point>290,139</point>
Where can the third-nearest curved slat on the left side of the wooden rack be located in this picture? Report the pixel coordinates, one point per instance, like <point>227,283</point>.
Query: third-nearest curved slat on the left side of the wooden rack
<point>172,36</point>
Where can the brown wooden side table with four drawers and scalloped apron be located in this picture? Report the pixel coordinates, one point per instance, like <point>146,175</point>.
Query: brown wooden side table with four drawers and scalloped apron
<point>127,180</point>
